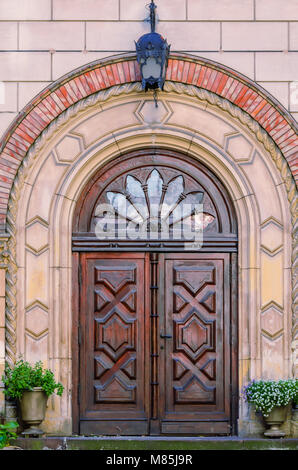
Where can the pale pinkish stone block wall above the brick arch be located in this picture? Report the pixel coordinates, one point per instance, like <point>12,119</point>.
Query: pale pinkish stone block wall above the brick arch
<point>41,40</point>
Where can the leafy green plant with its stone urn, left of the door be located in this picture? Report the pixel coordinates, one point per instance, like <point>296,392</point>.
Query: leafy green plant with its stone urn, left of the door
<point>30,385</point>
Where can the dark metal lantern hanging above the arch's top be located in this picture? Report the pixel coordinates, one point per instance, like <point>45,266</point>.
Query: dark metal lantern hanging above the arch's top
<point>152,55</point>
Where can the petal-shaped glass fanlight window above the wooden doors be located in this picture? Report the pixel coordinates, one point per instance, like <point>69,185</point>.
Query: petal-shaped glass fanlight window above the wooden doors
<point>163,210</point>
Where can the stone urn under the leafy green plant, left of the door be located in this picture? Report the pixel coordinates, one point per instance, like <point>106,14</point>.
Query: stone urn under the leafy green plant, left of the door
<point>33,407</point>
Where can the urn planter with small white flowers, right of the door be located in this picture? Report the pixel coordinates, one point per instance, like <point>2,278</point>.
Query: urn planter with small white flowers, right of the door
<point>271,398</point>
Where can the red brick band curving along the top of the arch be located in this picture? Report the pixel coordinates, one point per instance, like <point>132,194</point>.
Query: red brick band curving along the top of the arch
<point>102,74</point>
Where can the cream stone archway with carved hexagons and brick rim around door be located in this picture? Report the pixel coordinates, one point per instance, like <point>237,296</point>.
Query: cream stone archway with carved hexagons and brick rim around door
<point>73,146</point>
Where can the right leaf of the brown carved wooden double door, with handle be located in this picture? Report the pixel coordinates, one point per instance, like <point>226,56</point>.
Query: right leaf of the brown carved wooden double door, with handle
<point>196,363</point>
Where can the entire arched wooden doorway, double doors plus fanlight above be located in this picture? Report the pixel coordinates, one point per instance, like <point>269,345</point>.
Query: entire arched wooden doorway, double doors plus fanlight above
<point>157,315</point>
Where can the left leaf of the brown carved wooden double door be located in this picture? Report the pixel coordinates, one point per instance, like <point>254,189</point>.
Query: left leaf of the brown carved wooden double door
<point>113,356</point>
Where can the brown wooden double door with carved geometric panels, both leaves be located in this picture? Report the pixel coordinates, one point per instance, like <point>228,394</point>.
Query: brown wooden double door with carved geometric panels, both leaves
<point>157,344</point>
